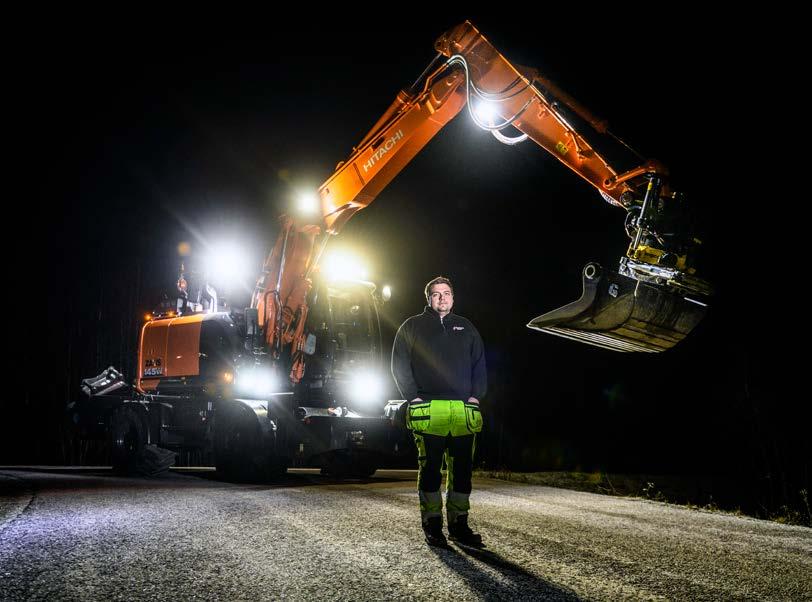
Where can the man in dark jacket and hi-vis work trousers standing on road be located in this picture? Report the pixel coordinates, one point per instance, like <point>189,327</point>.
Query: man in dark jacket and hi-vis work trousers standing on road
<point>438,362</point>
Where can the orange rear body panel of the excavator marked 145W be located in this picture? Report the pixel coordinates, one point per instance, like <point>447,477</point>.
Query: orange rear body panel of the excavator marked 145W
<point>169,347</point>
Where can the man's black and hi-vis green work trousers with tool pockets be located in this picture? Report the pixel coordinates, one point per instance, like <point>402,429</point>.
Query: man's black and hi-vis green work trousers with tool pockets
<point>444,428</point>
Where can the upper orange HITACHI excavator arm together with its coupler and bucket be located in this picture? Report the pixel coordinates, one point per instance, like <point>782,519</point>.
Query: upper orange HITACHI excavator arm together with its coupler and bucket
<point>653,301</point>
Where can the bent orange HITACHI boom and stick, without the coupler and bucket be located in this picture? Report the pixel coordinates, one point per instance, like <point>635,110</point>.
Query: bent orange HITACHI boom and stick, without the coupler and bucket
<point>472,70</point>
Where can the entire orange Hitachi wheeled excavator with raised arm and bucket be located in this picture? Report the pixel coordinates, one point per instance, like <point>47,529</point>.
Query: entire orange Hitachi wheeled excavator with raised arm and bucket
<point>304,340</point>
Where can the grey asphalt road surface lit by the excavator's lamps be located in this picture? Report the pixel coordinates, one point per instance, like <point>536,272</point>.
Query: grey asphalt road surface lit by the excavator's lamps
<point>87,535</point>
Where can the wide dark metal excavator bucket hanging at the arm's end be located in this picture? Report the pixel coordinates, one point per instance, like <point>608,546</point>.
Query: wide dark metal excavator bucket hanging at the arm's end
<point>622,314</point>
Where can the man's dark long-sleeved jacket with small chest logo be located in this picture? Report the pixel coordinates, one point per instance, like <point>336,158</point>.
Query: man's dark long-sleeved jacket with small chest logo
<point>439,358</point>
